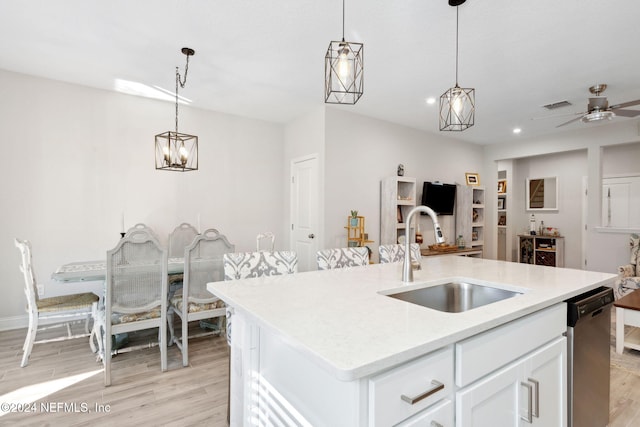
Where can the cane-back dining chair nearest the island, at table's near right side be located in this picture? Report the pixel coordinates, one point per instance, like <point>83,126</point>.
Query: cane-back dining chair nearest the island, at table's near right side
<point>202,264</point>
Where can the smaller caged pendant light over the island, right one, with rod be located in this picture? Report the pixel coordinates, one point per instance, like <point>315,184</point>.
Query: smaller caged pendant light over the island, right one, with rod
<point>457,105</point>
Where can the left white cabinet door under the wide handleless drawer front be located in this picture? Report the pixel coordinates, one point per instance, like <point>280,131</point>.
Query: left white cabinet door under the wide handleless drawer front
<point>491,401</point>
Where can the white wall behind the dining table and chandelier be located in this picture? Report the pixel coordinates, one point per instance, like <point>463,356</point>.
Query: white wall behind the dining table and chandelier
<point>75,159</point>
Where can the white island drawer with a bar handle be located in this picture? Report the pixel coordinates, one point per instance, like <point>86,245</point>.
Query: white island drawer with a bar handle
<point>389,392</point>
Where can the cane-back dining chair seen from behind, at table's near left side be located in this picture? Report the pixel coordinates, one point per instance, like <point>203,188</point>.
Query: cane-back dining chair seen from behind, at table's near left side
<point>136,292</point>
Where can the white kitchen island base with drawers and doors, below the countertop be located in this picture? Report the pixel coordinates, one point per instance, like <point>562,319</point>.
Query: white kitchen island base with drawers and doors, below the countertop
<point>501,377</point>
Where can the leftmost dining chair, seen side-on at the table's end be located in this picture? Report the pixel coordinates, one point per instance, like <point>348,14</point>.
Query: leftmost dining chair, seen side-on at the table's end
<point>50,312</point>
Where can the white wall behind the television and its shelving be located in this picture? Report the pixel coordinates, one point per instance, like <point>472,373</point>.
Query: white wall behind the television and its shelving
<point>360,151</point>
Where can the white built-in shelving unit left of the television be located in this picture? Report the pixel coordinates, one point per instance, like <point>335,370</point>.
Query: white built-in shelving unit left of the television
<point>397,198</point>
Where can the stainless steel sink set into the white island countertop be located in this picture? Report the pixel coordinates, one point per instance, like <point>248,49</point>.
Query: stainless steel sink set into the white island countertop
<point>455,296</point>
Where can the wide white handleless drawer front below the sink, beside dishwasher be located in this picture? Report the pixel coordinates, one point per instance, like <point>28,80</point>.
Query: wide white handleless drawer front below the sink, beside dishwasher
<point>486,352</point>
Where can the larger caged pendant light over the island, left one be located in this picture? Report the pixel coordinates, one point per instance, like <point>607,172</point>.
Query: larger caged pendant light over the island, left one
<point>343,71</point>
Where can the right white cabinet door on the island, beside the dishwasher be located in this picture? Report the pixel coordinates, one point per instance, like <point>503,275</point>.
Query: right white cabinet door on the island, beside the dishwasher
<point>546,371</point>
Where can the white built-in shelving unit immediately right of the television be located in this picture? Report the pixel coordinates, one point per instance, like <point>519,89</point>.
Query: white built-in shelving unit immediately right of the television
<point>470,213</point>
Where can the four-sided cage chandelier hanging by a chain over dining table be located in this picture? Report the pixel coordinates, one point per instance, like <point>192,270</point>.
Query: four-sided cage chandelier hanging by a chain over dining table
<point>177,151</point>
